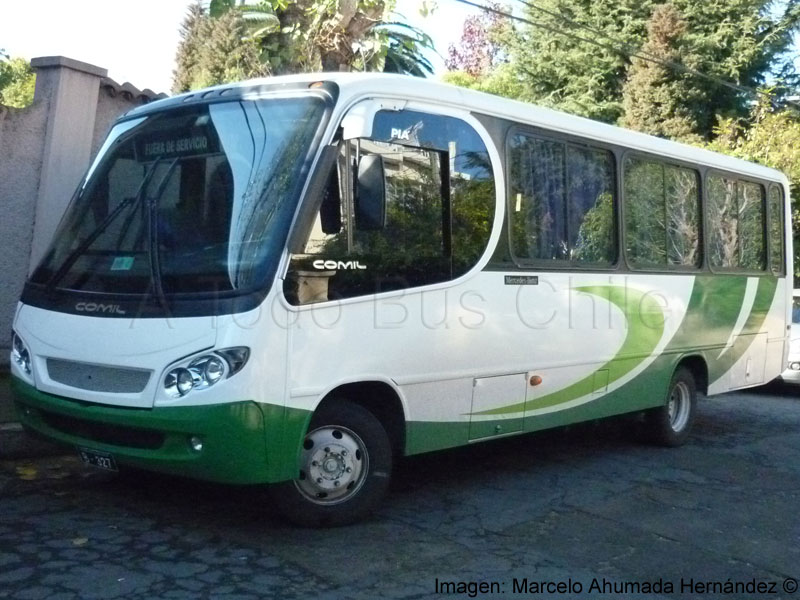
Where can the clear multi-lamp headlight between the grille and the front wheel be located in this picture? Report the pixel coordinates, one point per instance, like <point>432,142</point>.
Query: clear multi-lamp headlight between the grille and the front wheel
<point>204,371</point>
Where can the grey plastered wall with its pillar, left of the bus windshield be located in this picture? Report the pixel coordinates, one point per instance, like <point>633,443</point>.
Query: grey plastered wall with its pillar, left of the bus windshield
<point>44,151</point>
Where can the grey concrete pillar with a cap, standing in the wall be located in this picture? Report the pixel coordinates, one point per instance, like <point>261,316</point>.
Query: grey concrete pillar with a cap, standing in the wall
<point>71,88</point>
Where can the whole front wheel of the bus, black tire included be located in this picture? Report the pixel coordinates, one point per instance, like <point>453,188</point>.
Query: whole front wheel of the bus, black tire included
<point>345,468</point>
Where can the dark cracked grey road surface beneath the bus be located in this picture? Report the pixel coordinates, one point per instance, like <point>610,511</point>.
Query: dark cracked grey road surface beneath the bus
<point>573,505</point>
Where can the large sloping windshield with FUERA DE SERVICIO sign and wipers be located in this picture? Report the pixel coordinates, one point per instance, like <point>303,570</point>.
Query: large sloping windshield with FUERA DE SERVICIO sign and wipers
<point>192,200</point>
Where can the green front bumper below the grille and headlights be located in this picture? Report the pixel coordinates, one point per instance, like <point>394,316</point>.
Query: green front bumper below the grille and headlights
<point>157,439</point>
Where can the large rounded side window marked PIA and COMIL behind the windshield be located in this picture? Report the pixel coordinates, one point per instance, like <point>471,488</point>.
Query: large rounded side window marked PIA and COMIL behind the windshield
<point>439,211</point>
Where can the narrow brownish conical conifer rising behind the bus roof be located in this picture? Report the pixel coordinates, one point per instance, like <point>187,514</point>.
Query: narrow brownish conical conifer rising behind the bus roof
<point>660,100</point>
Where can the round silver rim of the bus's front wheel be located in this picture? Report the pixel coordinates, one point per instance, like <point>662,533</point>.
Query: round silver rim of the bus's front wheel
<point>334,465</point>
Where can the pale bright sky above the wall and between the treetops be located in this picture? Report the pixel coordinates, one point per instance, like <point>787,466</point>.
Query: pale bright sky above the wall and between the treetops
<point>136,41</point>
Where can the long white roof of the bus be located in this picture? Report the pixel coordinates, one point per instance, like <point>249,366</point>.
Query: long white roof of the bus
<point>356,85</point>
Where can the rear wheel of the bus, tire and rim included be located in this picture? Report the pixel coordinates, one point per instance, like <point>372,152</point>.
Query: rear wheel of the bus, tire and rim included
<point>670,424</point>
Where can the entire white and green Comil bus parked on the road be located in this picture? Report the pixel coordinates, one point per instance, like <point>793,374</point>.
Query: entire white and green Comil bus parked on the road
<point>298,280</point>
